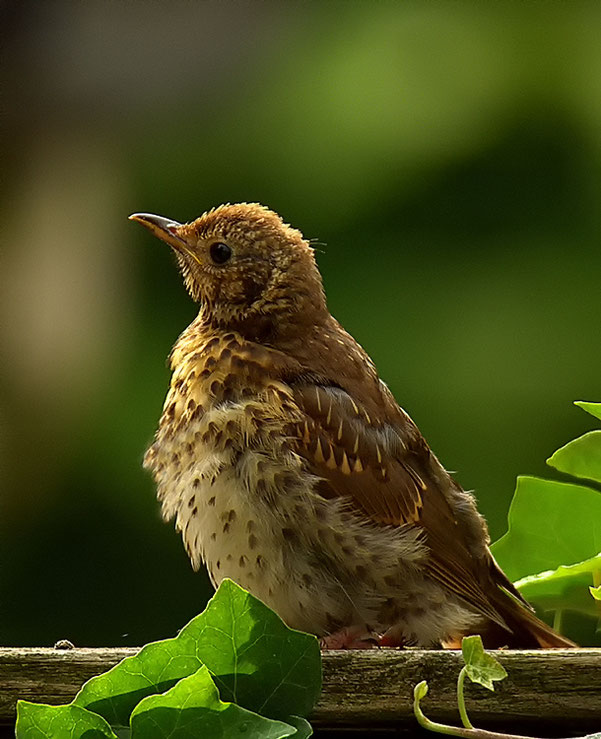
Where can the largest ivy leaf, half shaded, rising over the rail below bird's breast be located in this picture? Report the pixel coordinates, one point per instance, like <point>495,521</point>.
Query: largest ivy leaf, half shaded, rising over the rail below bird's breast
<point>255,659</point>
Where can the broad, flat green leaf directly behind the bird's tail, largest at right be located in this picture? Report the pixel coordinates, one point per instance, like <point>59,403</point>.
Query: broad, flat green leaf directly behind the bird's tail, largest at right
<point>550,524</point>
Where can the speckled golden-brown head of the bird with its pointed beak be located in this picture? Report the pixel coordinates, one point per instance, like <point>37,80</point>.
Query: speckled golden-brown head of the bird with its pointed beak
<point>244,265</point>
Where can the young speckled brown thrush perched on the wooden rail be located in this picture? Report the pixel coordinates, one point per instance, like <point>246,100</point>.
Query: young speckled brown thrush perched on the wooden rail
<point>289,467</point>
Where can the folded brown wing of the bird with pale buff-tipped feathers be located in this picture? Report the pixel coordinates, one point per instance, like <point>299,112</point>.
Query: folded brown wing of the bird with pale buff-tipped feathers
<point>389,475</point>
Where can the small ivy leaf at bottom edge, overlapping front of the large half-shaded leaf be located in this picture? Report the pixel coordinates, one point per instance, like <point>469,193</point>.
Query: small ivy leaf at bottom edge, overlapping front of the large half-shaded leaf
<point>192,708</point>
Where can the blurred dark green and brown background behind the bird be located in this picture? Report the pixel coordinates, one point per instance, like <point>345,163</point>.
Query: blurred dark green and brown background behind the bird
<point>447,156</point>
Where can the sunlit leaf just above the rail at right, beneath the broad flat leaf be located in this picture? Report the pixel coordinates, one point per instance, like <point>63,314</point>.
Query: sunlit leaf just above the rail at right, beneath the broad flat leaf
<point>564,589</point>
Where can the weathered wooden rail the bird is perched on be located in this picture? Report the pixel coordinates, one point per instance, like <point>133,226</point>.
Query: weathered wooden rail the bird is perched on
<point>547,694</point>
